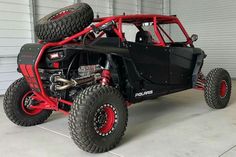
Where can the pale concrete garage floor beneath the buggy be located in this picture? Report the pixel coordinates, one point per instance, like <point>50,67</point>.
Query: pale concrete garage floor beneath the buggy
<point>177,125</point>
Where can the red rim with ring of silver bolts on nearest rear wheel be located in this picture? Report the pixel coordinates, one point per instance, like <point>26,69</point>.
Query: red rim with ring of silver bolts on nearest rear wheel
<point>105,119</point>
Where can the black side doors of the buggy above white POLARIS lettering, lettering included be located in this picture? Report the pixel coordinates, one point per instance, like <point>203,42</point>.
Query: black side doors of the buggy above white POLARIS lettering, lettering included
<point>154,71</point>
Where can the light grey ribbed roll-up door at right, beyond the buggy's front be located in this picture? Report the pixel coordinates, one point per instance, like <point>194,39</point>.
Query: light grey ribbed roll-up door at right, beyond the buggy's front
<point>214,21</point>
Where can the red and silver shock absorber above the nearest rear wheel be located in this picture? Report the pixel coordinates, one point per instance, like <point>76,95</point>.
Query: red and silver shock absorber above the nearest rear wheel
<point>106,74</point>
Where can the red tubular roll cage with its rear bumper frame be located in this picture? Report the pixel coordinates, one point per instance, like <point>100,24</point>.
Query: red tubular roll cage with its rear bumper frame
<point>52,103</point>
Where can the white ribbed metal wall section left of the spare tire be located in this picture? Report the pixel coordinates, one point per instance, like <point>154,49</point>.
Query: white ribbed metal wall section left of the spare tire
<point>15,30</point>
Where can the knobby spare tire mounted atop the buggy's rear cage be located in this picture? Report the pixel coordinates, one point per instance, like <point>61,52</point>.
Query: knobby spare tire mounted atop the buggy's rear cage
<point>64,22</point>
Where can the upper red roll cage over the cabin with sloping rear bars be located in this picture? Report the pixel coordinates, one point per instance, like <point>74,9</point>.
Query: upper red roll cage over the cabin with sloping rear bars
<point>134,19</point>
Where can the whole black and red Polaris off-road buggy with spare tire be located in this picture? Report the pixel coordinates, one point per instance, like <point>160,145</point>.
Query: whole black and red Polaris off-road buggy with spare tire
<point>92,73</point>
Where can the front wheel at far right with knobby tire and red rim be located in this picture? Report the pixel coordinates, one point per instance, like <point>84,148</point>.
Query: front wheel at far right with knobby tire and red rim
<point>218,88</point>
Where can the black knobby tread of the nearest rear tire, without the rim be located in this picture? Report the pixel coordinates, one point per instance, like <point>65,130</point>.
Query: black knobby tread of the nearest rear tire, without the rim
<point>80,114</point>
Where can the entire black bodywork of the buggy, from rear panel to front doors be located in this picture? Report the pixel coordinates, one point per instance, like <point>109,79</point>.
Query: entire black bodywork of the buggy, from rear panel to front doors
<point>141,71</point>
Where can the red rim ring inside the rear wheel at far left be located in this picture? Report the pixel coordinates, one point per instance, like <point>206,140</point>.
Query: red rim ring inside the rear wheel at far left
<point>28,111</point>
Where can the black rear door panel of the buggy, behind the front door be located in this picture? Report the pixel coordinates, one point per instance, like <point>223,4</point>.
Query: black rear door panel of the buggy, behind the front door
<point>151,61</point>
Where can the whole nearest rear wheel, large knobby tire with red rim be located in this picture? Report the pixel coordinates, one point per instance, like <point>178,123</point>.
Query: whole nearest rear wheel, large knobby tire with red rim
<point>88,132</point>
